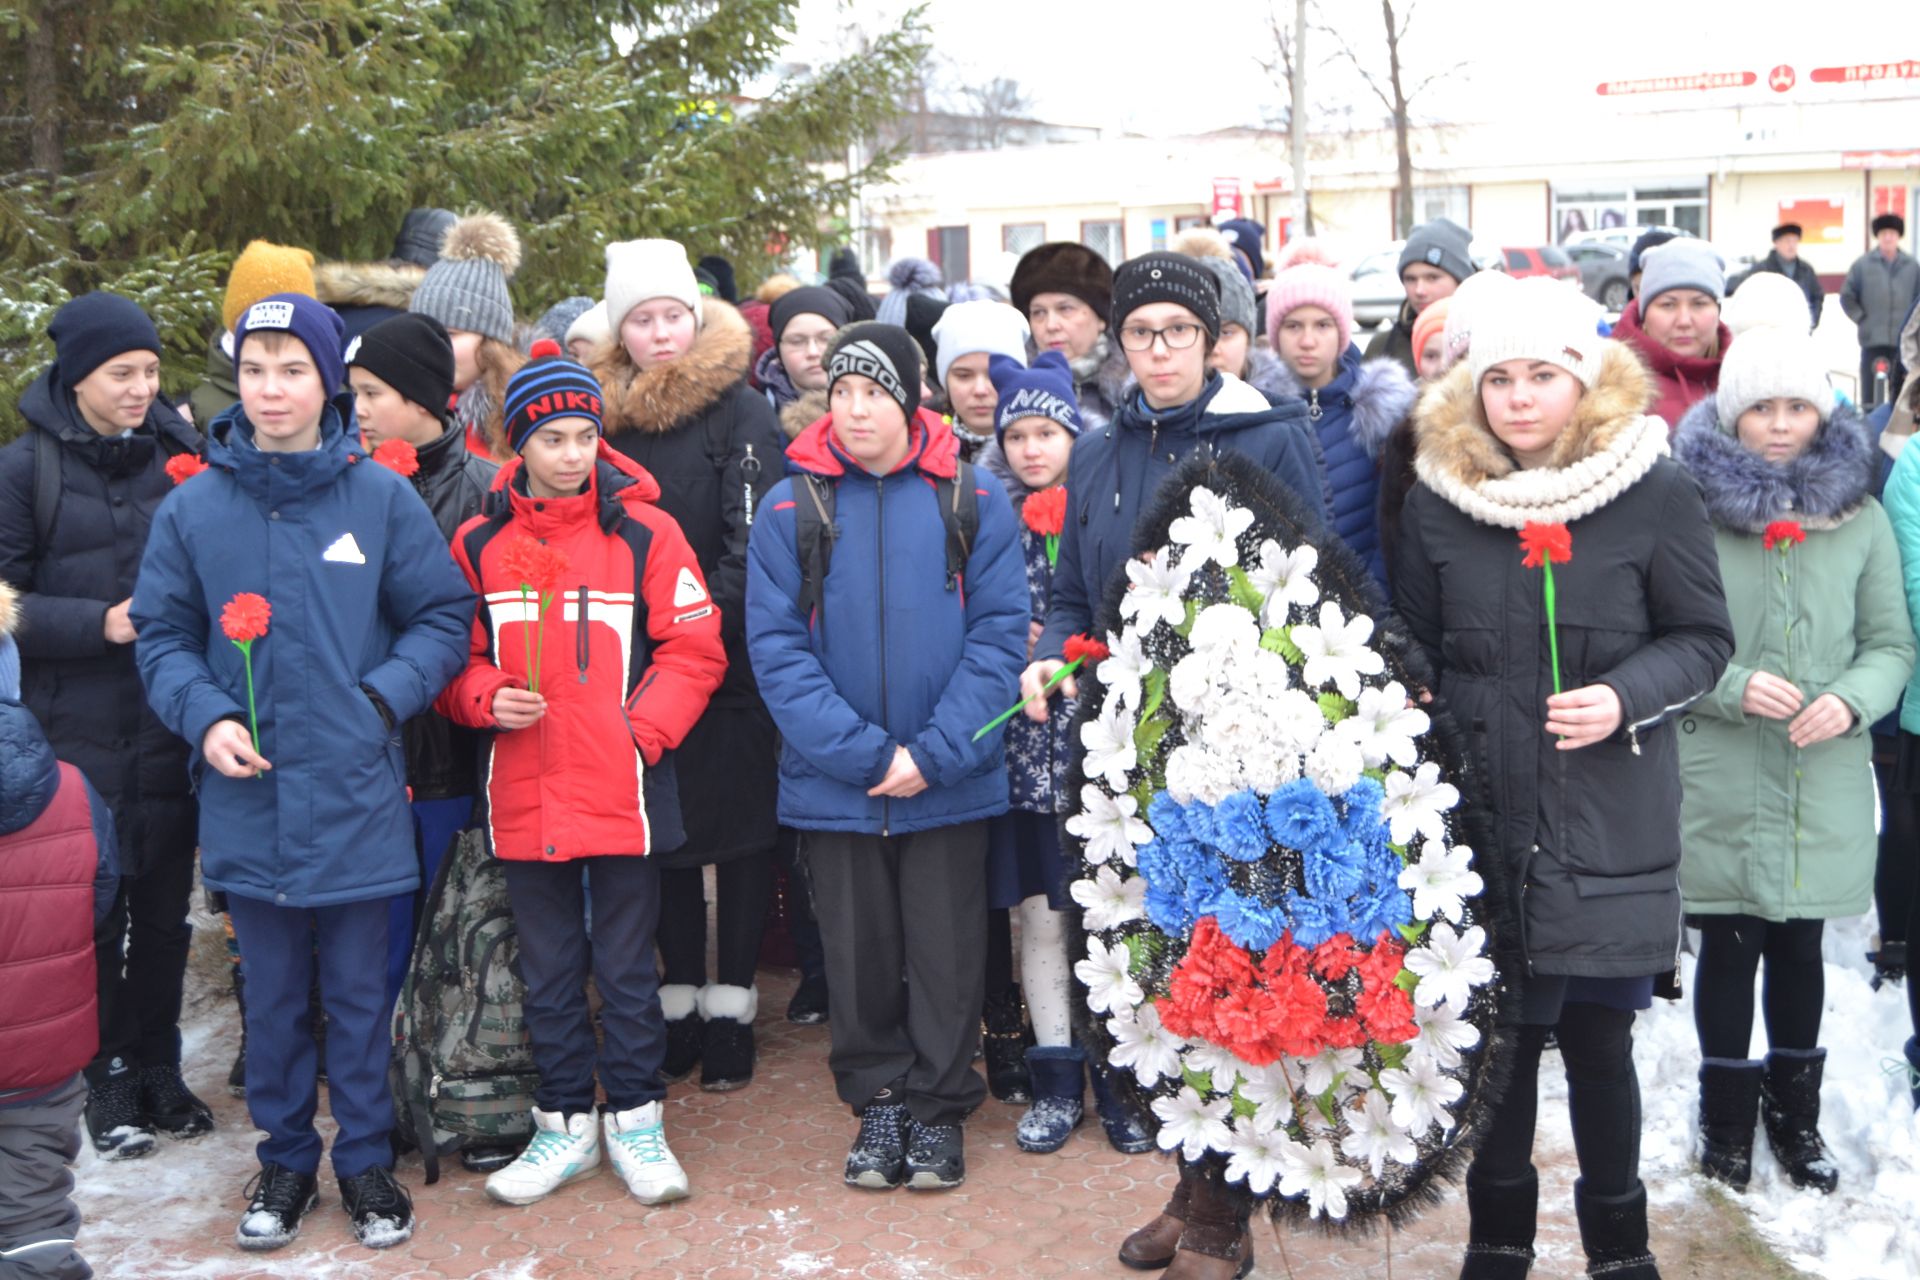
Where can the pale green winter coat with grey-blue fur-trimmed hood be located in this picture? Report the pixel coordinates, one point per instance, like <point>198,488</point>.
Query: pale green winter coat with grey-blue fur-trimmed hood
<point>1769,830</point>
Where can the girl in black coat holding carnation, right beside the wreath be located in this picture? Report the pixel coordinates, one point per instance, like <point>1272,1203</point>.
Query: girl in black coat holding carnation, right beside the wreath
<point>1543,433</point>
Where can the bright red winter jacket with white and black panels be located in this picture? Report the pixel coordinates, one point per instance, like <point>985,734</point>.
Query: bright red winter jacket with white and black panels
<point>627,686</point>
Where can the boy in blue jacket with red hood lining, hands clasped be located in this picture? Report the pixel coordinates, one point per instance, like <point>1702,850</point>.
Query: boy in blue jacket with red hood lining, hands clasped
<point>878,688</point>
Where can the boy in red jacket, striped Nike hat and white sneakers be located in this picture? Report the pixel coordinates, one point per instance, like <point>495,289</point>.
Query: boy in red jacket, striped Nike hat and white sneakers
<point>581,770</point>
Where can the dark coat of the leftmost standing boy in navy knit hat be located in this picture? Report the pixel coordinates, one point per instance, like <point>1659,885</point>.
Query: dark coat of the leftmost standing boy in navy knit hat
<point>85,692</point>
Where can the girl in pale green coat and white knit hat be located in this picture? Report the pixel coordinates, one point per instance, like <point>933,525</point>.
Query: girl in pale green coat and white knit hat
<point>1779,795</point>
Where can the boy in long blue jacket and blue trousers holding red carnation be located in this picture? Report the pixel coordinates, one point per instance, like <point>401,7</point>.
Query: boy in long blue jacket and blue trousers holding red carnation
<point>306,830</point>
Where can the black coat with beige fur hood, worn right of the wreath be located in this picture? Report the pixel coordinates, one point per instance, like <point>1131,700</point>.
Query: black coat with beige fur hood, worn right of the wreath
<point>1593,836</point>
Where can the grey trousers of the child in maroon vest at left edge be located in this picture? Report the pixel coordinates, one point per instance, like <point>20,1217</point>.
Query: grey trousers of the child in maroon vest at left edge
<point>37,1212</point>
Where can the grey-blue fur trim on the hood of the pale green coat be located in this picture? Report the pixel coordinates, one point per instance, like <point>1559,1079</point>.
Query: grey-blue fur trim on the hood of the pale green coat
<point>1825,486</point>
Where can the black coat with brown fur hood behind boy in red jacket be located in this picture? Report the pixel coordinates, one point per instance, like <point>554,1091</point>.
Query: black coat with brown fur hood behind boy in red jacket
<point>715,446</point>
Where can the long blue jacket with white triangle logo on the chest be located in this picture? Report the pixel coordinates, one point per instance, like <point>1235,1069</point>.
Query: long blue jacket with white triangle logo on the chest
<point>364,596</point>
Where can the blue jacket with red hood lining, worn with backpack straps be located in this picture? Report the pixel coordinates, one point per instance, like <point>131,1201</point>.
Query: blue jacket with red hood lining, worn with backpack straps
<point>894,659</point>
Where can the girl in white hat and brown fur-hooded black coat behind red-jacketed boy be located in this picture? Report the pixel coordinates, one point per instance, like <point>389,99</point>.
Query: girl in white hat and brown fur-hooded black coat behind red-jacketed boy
<point>679,404</point>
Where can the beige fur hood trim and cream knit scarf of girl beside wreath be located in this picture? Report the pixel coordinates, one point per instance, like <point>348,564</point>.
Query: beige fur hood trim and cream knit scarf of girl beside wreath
<point>1608,446</point>
